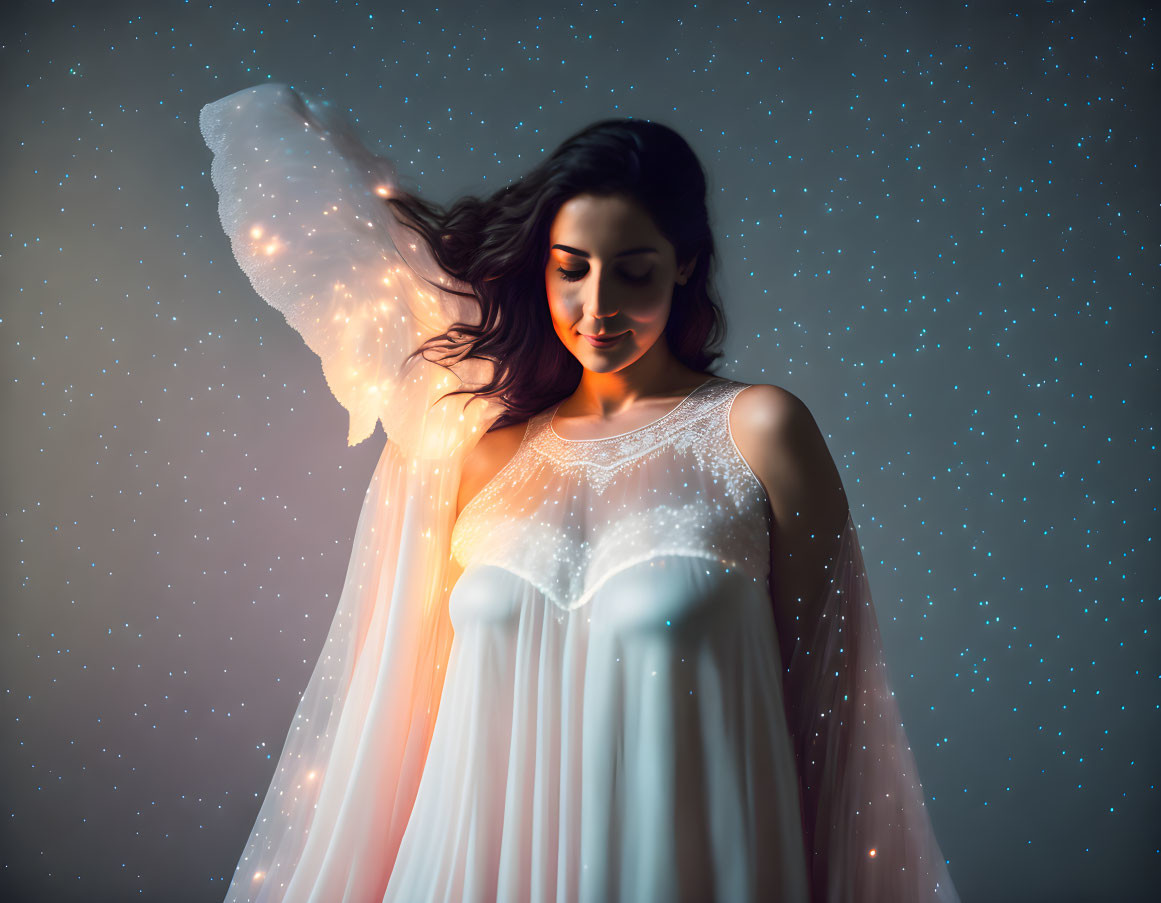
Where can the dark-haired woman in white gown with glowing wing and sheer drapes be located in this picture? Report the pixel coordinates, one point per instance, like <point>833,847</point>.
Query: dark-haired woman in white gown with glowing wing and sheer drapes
<point>607,632</point>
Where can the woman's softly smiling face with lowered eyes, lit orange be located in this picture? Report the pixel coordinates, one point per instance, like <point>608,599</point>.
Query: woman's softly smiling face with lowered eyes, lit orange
<point>610,271</point>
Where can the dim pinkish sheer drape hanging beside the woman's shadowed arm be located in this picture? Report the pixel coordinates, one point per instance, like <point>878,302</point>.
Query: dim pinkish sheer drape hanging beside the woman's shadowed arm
<point>869,833</point>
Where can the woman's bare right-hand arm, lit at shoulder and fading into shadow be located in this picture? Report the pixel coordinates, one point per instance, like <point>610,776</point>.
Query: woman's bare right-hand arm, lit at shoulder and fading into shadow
<point>780,438</point>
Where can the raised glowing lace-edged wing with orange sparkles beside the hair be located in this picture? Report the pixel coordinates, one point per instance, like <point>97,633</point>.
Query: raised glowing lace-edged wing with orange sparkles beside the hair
<point>302,200</point>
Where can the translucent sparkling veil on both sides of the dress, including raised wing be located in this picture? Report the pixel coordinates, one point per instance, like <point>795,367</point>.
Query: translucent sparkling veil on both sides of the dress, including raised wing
<point>301,199</point>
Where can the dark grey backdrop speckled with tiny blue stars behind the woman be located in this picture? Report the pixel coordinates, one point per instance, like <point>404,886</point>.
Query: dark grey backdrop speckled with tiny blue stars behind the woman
<point>938,226</point>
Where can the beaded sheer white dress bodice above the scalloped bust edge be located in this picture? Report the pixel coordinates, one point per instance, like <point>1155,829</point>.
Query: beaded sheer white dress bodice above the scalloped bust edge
<point>569,515</point>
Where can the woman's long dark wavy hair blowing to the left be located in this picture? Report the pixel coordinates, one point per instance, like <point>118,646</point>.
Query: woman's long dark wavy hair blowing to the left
<point>500,247</point>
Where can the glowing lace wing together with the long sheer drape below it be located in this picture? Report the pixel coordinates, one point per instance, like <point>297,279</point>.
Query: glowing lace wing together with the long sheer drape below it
<point>301,200</point>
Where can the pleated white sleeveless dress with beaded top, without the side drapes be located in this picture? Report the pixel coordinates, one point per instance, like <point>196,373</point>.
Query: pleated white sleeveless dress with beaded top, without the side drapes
<point>612,724</point>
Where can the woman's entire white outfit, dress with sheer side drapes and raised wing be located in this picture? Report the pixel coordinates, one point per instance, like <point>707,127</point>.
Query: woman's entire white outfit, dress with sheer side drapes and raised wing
<point>573,692</point>
